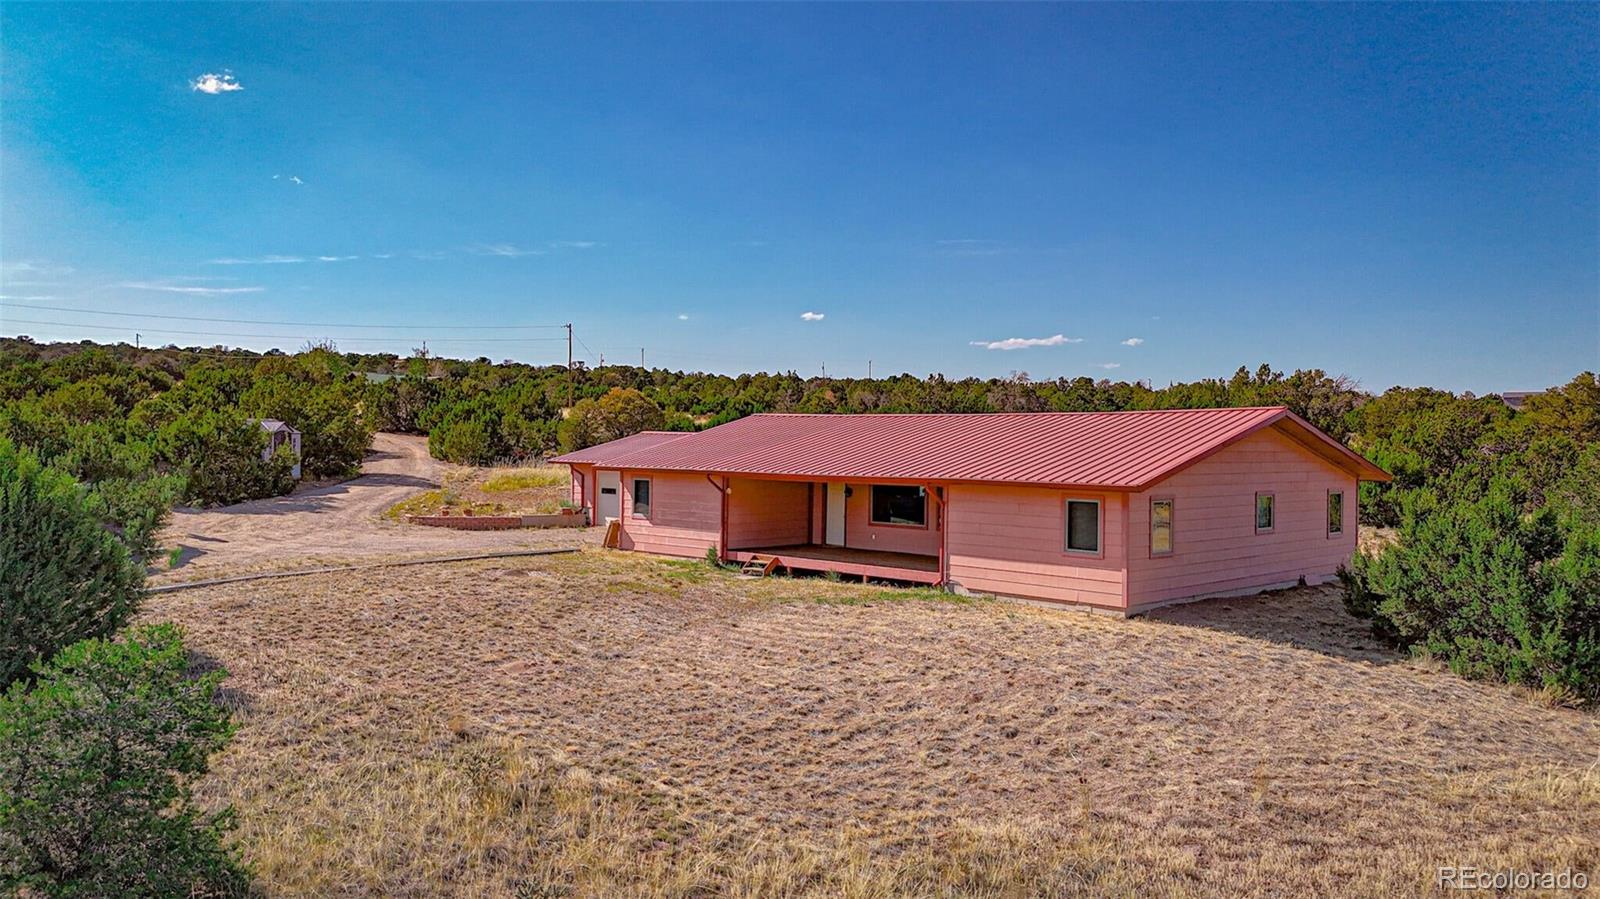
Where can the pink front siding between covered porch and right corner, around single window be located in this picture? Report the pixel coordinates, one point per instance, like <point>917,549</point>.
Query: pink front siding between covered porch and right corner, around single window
<point>1012,541</point>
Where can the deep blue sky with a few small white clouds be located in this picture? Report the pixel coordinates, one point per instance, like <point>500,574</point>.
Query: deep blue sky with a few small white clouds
<point>1404,194</point>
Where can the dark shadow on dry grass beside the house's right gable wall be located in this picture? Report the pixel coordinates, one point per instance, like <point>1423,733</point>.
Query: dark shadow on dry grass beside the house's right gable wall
<point>1306,618</point>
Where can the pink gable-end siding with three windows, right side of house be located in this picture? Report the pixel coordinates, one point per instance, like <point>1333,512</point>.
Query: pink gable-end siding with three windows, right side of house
<point>1215,543</point>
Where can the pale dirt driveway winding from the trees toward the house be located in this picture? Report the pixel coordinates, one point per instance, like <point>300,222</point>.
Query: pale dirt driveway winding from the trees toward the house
<point>330,524</point>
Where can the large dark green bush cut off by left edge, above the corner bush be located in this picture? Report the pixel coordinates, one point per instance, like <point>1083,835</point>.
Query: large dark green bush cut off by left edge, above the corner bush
<point>63,575</point>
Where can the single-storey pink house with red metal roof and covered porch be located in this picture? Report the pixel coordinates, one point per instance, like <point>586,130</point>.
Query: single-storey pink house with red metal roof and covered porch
<point>1114,511</point>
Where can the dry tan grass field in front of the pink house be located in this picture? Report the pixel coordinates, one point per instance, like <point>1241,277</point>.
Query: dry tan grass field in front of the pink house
<point>620,725</point>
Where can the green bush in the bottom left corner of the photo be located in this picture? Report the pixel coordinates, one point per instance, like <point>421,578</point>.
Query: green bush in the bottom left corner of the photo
<point>97,762</point>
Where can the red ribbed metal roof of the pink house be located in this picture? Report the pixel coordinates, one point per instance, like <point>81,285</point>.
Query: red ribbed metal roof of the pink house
<point>1106,450</point>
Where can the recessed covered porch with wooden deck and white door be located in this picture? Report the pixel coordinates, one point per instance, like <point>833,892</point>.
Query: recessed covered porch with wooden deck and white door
<point>889,532</point>
